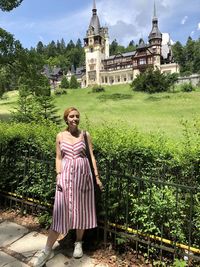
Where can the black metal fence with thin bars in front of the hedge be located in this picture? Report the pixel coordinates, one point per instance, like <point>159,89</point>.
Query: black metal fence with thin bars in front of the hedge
<point>156,217</point>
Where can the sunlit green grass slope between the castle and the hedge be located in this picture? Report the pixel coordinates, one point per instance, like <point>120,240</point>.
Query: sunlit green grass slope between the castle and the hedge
<point>161,112</point>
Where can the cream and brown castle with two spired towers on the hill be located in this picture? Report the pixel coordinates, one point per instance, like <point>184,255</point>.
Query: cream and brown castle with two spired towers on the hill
<point>103,69</point>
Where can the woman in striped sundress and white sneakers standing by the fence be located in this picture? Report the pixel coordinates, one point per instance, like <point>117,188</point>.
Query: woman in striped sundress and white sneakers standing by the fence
<point>74,205</point>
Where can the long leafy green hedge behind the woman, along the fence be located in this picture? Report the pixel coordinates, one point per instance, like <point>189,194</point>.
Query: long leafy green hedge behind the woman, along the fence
<point>28,169</point>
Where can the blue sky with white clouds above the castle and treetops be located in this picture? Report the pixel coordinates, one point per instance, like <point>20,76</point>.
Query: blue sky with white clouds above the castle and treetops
<point>47,20</point>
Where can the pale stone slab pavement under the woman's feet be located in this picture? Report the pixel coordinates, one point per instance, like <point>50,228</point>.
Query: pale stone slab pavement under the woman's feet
<point>19,247</point>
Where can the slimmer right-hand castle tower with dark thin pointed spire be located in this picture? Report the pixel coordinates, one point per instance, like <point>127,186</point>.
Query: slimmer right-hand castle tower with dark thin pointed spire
<point>155,40</point>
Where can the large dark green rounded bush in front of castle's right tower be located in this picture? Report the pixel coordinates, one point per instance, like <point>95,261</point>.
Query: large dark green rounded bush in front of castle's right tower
<point>153,81</point>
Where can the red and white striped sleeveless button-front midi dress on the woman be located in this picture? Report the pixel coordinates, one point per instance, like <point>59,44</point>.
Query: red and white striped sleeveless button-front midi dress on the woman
<point>74,204</point>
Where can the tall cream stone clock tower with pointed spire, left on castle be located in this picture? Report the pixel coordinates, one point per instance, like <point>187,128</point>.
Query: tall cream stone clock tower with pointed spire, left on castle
<point>96,46</point>
